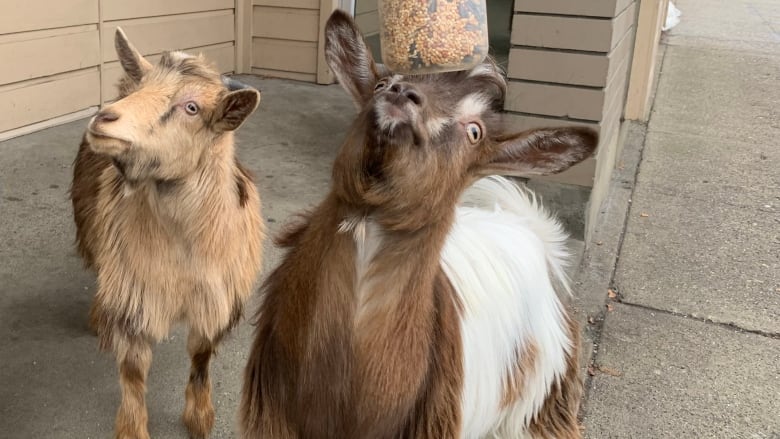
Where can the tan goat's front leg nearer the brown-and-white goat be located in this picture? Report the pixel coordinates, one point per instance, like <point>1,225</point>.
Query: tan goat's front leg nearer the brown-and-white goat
<point>199,411</point>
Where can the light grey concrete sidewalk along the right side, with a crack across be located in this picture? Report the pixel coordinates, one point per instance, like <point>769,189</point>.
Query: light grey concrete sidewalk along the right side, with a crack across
<point>690,345</point>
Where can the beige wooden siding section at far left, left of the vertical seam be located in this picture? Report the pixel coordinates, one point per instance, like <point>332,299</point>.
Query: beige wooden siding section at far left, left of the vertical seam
<point>50,56</point>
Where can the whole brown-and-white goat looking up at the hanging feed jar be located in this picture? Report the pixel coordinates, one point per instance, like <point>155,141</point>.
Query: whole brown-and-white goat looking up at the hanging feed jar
<point>418,300</point>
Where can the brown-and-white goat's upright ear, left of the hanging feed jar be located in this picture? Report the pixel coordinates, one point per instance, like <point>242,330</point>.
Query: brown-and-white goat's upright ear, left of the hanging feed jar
<point>349,58</point>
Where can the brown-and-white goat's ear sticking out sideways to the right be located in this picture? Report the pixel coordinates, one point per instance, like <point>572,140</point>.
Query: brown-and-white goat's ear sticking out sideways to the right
<point>538,151</point>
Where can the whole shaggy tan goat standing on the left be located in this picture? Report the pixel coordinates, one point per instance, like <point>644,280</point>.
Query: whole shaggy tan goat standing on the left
<point>169,220</point>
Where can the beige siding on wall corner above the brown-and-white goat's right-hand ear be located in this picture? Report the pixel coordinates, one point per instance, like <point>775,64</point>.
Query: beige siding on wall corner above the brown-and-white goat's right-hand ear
<point>568,65</point>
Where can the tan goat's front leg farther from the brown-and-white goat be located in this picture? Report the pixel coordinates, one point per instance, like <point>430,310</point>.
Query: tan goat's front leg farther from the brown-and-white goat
<point>134,356</point>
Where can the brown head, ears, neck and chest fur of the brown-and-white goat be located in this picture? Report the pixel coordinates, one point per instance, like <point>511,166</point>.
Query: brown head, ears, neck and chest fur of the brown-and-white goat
<point>355,348</point>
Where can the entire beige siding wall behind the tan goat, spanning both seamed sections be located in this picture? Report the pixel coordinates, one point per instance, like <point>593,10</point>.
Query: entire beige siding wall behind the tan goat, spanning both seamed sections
<point>58,56</point>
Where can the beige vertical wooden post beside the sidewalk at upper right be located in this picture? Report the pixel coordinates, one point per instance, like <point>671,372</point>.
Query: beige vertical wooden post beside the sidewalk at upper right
<point>652,13</point>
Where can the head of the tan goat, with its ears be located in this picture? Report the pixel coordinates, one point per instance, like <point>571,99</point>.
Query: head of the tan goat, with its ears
<point>168,114</point>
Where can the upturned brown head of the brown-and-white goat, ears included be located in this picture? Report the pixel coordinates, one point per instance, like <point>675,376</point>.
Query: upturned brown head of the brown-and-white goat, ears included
<point>423,136</point>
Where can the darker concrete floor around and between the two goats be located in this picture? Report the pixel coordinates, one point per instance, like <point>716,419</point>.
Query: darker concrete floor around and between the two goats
<point>53,381</point>
